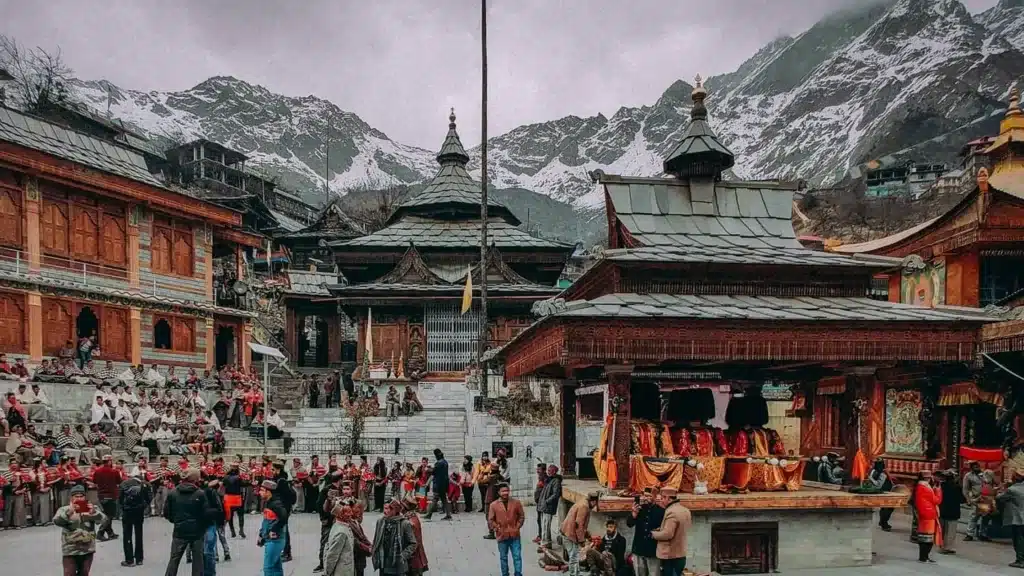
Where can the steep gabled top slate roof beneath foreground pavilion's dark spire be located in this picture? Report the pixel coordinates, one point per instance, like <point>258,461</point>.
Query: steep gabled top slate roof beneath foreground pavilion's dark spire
<point>674,213</point>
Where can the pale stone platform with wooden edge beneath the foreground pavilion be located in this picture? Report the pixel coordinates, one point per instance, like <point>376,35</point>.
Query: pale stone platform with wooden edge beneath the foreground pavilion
<point>815,528</point>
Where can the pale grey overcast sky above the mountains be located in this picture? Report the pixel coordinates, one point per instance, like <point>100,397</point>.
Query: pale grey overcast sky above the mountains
<point>401,64</point>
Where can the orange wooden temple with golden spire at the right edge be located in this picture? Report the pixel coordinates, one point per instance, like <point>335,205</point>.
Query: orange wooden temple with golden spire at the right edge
<point>972,256</point>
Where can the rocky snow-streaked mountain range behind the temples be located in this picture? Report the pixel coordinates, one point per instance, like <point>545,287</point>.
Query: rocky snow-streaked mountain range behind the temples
<point>915,78</point>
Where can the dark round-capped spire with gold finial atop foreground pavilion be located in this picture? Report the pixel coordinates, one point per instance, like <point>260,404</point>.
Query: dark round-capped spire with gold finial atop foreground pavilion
<point>700,153</point>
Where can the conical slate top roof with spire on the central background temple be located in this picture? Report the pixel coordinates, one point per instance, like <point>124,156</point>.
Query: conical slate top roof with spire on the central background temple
<point>452,194</point>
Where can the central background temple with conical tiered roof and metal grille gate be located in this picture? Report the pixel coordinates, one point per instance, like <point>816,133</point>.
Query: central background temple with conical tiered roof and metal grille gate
<point>407,280</point>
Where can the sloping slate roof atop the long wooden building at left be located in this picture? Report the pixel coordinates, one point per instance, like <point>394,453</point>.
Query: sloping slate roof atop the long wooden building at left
<point>76,147</point>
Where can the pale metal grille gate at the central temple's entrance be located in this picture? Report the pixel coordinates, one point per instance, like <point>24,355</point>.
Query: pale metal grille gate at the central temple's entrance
<point>452,338</point>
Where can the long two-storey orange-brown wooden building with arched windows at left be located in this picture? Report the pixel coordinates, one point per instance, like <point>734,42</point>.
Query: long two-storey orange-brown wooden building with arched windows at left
<point>96,242</point>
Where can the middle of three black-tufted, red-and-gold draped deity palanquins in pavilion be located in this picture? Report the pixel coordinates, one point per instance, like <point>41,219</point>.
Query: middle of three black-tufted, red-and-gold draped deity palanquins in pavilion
<point>690,412</point>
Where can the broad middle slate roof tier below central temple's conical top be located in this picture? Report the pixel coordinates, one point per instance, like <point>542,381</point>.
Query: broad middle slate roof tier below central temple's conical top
<point>431,233</point>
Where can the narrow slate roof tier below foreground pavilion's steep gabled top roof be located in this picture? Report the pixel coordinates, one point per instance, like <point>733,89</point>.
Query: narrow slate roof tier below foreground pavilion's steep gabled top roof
<point>743,256</point>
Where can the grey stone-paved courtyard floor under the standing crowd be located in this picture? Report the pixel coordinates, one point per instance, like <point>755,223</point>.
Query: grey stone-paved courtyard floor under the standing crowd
<point>455,550</point>
